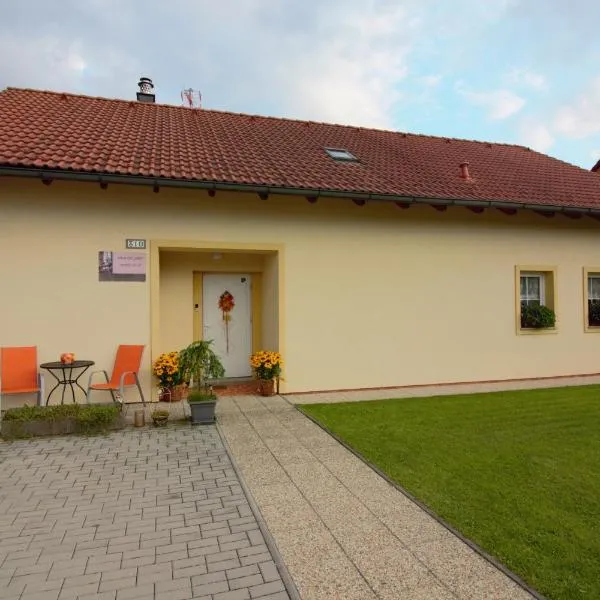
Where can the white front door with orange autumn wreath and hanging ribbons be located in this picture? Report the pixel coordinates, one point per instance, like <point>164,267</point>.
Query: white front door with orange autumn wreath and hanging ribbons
<point>227,319</point>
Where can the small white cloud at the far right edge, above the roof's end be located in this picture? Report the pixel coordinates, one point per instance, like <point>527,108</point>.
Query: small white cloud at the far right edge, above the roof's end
<point>582,118</point>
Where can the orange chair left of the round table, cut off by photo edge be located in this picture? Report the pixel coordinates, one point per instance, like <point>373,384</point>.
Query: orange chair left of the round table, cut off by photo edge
<point>19,372</point>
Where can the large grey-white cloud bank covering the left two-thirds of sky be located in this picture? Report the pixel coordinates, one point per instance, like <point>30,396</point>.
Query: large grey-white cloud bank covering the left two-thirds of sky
<point>339,61</point>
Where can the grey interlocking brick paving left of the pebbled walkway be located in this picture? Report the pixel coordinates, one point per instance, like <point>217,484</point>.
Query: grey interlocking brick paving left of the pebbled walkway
<point>144,513</point>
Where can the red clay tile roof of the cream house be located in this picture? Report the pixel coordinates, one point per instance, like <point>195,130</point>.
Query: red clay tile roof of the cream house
<point>59,131</point>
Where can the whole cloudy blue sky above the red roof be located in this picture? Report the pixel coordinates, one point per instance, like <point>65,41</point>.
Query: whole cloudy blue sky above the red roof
<point>517,71</point>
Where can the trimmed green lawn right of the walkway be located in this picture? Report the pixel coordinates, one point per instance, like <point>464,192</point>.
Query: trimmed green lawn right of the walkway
<point>516,472</point>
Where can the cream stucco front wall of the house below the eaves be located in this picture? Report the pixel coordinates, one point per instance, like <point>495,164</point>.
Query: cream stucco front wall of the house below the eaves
<point>371,296</point>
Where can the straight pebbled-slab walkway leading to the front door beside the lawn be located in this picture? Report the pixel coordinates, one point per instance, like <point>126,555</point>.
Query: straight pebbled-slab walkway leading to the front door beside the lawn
<point>343,531</point>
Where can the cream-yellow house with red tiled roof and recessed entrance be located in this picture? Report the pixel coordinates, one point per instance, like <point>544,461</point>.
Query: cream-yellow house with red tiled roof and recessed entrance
<point>368,258</point>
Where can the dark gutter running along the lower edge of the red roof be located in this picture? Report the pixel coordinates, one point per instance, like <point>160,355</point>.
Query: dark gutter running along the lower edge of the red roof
<point>103,179</point>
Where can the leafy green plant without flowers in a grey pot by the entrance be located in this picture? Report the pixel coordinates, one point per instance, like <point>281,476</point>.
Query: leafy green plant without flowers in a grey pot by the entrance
<point>199,364</point>
